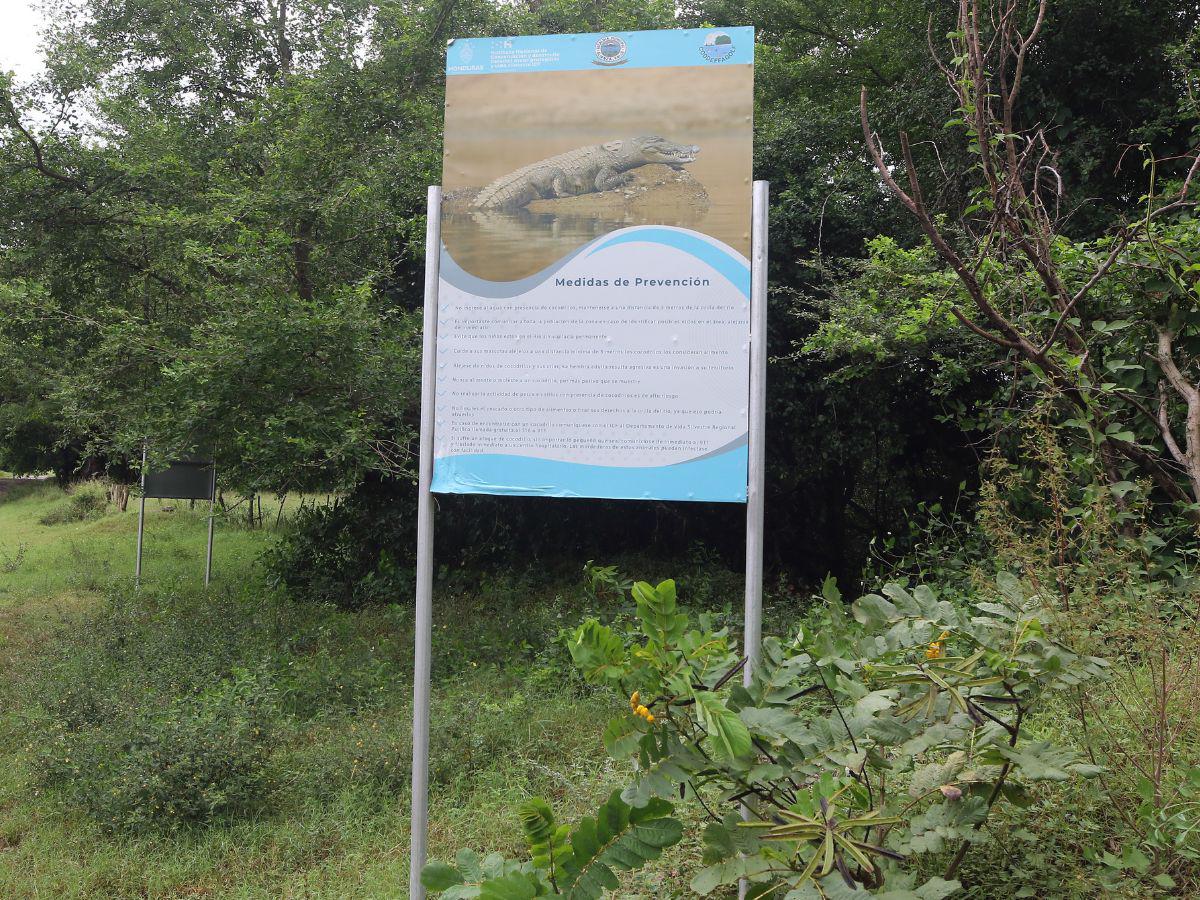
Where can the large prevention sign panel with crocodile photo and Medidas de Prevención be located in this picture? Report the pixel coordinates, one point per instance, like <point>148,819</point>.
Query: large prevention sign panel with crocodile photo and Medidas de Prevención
<point>595,297</point>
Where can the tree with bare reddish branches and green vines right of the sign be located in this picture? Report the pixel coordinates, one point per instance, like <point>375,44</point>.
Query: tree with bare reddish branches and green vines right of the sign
<point>1019,285</point>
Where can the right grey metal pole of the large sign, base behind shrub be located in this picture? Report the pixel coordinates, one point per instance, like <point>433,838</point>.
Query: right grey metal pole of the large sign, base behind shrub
<point>758,434</point>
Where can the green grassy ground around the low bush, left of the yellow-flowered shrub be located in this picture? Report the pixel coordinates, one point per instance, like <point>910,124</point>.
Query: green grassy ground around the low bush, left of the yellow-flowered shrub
<point>511,721</point>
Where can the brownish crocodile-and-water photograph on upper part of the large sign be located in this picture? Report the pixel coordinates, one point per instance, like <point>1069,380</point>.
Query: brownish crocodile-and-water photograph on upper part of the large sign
<point>537,165</point>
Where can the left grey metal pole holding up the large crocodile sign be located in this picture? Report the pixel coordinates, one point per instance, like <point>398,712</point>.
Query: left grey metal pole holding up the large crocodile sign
<point>424,620</point>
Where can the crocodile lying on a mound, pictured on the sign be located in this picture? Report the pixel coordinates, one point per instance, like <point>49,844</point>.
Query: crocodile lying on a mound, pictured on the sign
<point>587,170</point>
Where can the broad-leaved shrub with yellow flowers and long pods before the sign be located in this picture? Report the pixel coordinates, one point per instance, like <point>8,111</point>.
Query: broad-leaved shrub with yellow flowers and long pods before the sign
<point>860,748</point>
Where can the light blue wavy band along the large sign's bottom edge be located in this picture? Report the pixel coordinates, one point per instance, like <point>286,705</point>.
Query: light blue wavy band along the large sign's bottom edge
<point>721,478</point>
